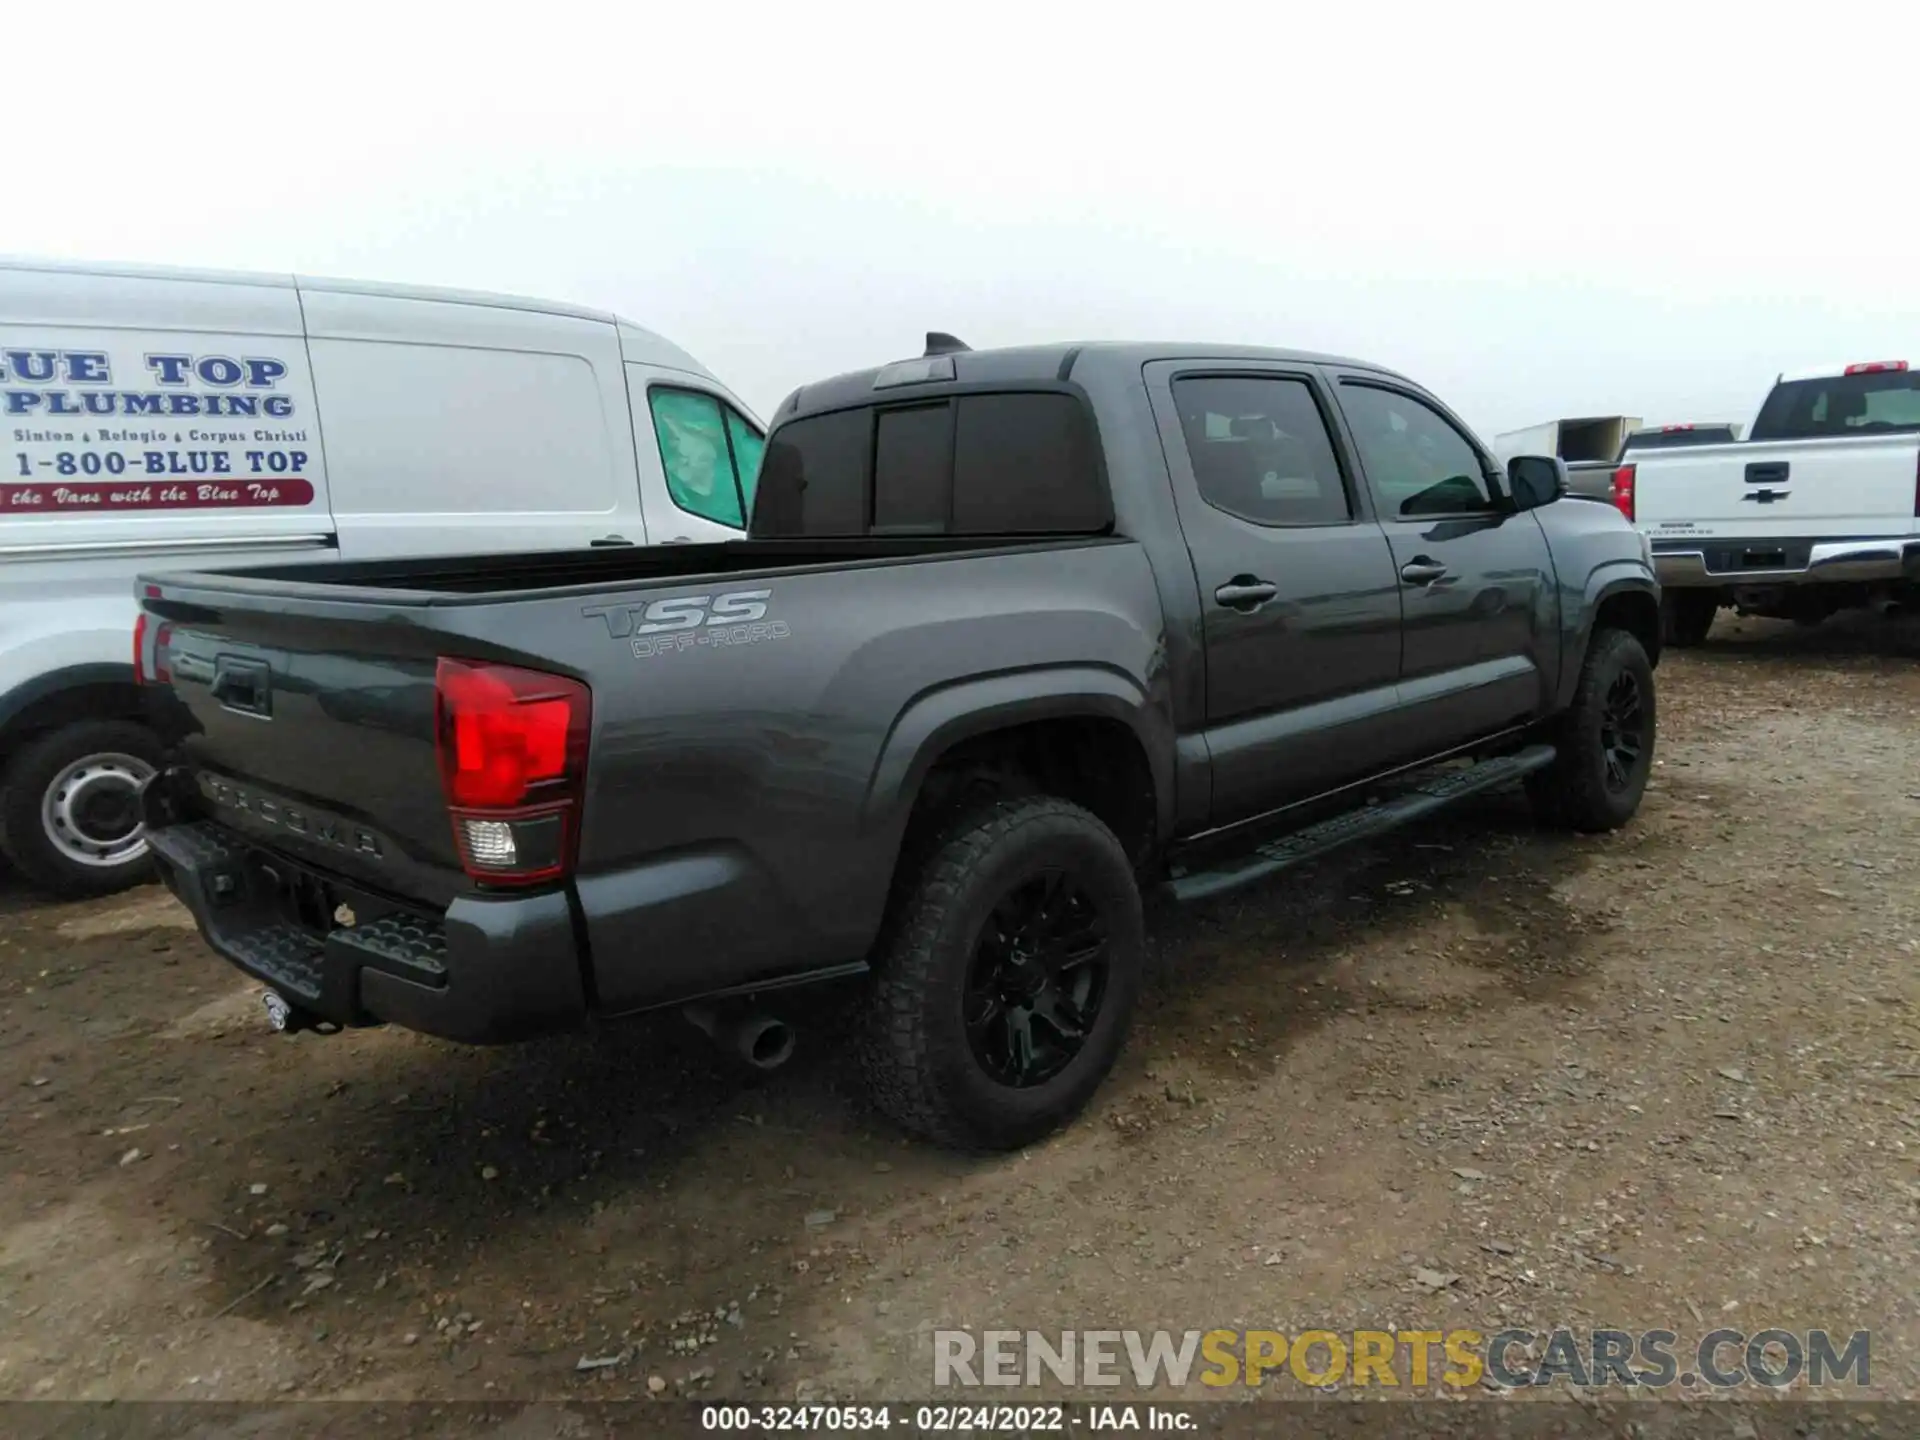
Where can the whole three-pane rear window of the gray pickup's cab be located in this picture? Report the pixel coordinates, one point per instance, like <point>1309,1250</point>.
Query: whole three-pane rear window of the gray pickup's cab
<point>972,466</point>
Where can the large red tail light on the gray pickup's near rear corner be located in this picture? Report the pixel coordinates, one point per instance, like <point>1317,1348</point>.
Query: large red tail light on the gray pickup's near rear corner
<point>514,761</point>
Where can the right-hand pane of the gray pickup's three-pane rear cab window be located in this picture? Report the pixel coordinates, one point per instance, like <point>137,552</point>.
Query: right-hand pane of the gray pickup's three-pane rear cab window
<point>1026,466</point>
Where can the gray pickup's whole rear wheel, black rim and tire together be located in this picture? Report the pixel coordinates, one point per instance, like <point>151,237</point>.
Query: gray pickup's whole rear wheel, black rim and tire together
<point>1005,978</point>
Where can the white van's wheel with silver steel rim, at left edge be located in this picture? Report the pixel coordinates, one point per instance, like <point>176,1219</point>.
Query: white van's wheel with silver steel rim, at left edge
<point>72,807</point>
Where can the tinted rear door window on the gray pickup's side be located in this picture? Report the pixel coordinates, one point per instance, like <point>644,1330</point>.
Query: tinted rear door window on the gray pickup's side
<point>1260,450</point>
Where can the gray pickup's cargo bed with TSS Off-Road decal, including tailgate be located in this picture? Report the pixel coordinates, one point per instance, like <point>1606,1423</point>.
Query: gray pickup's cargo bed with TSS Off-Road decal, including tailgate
<point>780,677</point>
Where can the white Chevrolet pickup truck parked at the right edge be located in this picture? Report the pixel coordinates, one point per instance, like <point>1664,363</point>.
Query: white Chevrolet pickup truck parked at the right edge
<point>1815,512</point>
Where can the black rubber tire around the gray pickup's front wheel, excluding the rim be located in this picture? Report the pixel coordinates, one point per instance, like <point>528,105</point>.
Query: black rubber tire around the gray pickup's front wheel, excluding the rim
<point>1573,792</point>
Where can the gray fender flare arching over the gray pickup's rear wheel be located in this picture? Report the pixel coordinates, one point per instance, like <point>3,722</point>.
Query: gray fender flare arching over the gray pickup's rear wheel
<point>940,719</point>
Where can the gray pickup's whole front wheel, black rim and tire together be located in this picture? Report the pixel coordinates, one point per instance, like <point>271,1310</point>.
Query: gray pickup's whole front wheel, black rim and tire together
<point>1604,742</point>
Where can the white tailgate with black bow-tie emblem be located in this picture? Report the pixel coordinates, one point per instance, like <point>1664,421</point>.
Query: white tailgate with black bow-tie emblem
<point>1783,489</point>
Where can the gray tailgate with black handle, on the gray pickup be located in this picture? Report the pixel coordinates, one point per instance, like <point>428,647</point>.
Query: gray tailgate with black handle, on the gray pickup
<point>316,734</point>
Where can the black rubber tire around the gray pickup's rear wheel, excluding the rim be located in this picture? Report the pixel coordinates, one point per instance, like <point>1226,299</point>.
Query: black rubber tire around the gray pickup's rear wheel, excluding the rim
<point>915,1053</point>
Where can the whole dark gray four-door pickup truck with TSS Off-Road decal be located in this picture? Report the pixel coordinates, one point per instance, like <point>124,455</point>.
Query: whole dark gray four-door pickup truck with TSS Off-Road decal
<point>1015,635</point>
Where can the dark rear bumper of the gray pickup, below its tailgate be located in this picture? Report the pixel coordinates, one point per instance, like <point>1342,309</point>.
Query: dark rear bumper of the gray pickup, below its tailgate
<point>487,971</point>
